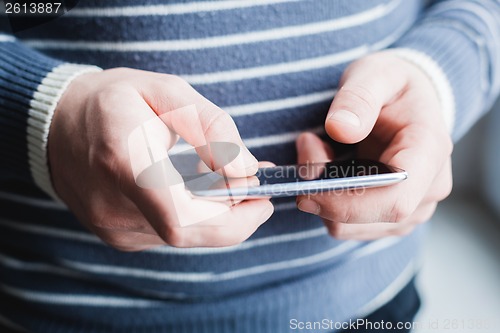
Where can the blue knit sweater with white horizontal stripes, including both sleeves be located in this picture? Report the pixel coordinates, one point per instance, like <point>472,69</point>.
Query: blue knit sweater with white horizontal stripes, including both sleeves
<point>273,65</point>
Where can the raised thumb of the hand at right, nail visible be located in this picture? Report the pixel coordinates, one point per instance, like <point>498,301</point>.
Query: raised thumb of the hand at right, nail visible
<point>366,87</point>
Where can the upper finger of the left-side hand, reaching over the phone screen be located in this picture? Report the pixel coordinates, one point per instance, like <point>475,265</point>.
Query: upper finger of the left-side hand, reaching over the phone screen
<point>206,127</point>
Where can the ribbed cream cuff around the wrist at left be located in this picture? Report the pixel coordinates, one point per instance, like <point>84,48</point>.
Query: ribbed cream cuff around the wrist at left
<point>40,115</point>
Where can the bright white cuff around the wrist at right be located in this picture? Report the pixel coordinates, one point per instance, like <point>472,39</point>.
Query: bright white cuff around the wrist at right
<point>438,78</point>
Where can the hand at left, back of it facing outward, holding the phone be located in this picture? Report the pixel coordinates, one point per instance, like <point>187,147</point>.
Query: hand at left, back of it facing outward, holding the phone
<point>91,167</point>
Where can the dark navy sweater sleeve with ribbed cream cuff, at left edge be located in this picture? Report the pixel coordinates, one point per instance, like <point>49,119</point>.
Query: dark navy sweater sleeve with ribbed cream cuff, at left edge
<point>31,84</point>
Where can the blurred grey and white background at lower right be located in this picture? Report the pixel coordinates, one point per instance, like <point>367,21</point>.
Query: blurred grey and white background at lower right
<point>460,276</point>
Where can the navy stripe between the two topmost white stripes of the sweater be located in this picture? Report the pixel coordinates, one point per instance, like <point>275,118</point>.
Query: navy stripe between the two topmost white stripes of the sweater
<point>202,25</point>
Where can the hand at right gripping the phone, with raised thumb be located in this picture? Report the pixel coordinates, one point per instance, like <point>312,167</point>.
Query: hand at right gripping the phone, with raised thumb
<point>391,108</point>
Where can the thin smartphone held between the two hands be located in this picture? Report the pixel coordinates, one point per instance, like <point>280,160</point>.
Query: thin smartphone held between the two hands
<point>298,179</point>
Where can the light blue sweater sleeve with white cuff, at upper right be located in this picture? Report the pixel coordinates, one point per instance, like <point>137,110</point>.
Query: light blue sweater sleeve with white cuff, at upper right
<point>457,43</point>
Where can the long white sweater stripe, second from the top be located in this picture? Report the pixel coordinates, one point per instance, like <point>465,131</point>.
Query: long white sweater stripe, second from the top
<point>220,41</point>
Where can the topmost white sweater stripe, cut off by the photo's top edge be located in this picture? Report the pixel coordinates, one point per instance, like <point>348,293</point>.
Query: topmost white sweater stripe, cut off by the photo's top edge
<point>170,9</point>
